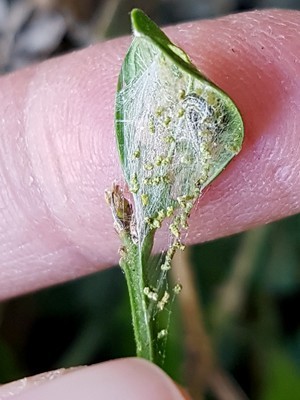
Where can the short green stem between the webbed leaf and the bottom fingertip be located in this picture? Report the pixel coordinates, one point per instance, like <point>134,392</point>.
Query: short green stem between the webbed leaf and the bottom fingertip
<point>133,262</point>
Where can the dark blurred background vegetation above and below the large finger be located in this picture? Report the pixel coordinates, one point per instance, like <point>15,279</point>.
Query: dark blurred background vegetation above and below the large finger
<point>248,285</point>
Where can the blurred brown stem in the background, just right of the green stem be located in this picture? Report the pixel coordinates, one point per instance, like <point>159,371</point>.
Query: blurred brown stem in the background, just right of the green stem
<point>202,369</point>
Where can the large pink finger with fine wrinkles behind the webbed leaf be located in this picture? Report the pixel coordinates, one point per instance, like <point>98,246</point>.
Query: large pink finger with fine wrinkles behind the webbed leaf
<point>58,152</point>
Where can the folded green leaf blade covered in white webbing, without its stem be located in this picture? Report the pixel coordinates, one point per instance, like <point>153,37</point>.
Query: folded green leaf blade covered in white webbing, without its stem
<point>176,131</point>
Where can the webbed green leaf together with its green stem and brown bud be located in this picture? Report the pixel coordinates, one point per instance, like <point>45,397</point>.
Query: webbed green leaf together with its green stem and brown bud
<point>176,131</point>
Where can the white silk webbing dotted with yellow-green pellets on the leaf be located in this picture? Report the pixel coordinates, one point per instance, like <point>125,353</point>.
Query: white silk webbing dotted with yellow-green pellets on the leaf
<point>173,141</point>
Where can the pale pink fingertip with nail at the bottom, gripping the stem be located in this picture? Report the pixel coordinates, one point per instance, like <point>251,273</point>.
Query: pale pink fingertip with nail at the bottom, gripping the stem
<point>132,379</point>
